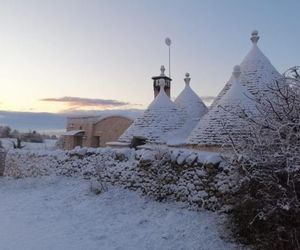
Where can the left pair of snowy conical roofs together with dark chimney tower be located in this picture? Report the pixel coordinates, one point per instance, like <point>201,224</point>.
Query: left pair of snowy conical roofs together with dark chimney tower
<point>165,121</point>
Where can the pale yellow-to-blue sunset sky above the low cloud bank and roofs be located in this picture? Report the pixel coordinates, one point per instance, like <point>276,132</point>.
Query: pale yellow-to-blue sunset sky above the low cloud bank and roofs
<point>65,55</point>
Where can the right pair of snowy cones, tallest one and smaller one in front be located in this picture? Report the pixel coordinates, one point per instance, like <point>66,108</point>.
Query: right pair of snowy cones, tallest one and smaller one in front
<point>249,80</point>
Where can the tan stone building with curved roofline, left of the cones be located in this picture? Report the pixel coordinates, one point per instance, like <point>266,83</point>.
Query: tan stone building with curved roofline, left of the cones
<point>94,131</point>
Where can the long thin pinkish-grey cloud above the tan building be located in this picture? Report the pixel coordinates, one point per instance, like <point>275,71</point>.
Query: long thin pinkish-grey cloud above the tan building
<point>79,102</point>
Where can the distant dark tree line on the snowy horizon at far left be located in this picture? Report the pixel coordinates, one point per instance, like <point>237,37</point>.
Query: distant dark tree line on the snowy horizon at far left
<point>30,136</point>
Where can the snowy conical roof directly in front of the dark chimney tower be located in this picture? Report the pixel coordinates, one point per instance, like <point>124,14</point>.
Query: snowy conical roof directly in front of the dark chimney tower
<point>159,121</point>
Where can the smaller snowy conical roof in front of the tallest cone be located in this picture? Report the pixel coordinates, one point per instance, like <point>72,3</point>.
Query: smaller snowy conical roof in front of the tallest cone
<point>223,118</point>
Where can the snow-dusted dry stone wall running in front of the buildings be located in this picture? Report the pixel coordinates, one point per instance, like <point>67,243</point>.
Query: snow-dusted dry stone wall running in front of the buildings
<point>196,178</point>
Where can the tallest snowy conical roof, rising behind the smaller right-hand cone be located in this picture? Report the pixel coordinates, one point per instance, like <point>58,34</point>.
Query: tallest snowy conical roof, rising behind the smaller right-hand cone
<point>257,71</point>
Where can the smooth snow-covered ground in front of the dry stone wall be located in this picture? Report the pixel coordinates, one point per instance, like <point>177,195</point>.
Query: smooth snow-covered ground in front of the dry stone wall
<point>60,213</point>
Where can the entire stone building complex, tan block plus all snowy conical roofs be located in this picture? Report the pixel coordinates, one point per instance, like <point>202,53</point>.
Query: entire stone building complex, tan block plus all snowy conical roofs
<point>186,121</point>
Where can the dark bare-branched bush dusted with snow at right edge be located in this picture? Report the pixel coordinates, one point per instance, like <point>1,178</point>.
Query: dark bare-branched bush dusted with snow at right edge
<point>267,201</point>
